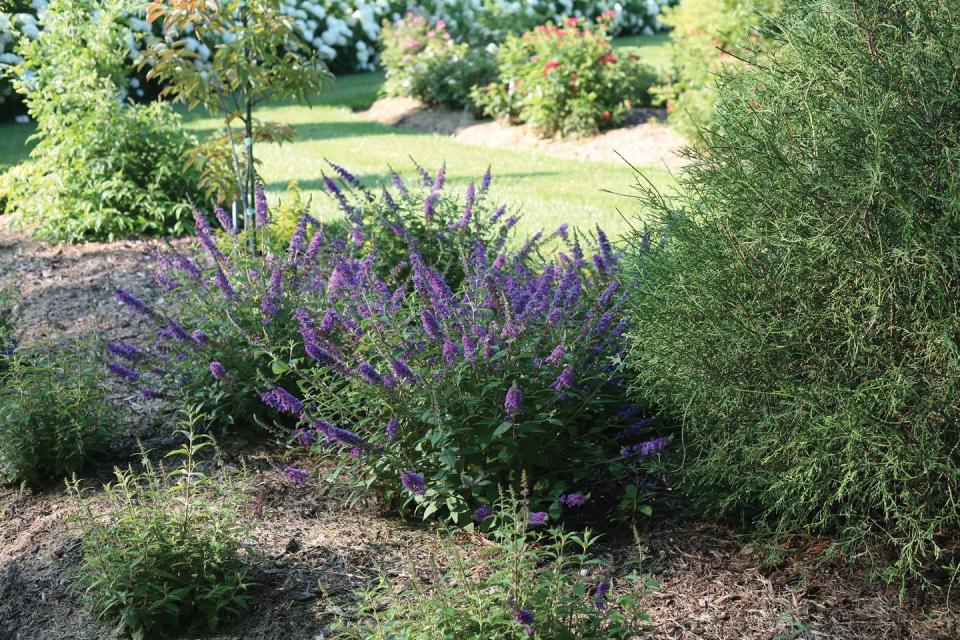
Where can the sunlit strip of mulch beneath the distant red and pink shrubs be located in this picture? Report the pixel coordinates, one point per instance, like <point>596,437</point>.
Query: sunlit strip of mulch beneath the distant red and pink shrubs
<point>644,140</point>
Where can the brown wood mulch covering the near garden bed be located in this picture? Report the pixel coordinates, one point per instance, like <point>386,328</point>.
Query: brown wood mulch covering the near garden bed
<point>312,549</point>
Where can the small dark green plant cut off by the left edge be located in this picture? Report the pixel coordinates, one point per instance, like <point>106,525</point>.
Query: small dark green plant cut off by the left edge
<point>53,414</point>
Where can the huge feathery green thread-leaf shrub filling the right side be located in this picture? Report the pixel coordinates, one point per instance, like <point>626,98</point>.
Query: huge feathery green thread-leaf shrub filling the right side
<point>798,304</point>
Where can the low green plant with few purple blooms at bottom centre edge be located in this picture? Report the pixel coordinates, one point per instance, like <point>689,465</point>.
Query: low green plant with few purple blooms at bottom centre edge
<point>527,584</point>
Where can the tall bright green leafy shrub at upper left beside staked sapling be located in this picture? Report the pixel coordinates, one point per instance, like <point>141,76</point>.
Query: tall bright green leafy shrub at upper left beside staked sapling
<point>86,180</point>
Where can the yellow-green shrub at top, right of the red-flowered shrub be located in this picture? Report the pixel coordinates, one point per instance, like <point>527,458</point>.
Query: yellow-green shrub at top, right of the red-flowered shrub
<point>708,37</point>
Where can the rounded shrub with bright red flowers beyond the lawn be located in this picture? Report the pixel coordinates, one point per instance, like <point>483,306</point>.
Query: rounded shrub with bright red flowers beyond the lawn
<point>565,80</point>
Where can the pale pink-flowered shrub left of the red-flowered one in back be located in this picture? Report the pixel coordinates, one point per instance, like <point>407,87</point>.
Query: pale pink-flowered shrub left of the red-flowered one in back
<point>422,61</point>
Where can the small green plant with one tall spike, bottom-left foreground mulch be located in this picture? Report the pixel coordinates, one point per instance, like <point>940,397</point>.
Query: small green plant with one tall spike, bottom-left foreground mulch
<point>165,554</point>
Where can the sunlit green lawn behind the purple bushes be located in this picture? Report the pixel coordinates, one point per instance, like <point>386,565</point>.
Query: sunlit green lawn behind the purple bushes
<point>549,191</point>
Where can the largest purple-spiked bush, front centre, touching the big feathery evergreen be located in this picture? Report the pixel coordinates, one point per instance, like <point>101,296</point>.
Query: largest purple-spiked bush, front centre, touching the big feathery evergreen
<point>464,389</point>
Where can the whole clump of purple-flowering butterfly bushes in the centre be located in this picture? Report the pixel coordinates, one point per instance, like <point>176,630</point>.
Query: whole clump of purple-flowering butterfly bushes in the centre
<point>413,340</point>
